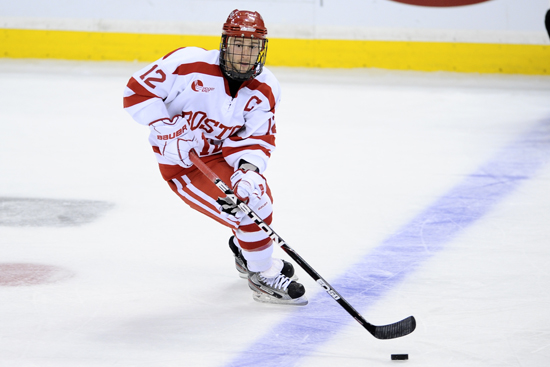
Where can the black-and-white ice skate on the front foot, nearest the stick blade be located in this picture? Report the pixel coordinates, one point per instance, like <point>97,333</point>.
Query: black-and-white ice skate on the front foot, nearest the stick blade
<point>272,286</point>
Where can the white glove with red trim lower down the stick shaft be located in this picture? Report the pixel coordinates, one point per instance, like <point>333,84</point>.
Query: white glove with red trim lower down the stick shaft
<point>248,184</point>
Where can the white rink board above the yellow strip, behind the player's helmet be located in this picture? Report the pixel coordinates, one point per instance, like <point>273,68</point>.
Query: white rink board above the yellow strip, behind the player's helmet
<point>495,21</point>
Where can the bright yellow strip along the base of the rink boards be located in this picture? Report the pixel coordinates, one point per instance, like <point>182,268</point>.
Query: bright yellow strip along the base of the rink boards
<point>397,55</point>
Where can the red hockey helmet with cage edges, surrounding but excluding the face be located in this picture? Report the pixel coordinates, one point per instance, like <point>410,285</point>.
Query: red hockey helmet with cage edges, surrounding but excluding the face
<point>243,24</point>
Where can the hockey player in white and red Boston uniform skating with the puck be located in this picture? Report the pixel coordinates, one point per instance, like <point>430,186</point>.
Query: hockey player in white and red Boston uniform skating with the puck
<point>221,104</point>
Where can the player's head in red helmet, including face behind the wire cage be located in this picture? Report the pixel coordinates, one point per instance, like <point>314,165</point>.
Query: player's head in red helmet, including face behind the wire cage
<point>243,47</point>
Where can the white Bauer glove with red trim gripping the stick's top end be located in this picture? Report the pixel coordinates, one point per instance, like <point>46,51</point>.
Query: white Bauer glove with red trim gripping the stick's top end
<point>175,139</point>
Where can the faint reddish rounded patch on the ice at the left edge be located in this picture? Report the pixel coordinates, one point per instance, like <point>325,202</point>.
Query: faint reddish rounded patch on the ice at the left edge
<point>25,274</point>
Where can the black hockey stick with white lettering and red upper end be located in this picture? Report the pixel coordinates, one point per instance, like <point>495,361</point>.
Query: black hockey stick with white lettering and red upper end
<point>391,331</point>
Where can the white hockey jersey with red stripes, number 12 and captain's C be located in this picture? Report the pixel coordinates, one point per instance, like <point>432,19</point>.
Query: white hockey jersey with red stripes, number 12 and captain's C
<point>189,82</point>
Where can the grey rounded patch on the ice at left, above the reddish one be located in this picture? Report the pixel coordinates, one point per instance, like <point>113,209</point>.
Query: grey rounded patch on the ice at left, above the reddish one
<point>37,212</point>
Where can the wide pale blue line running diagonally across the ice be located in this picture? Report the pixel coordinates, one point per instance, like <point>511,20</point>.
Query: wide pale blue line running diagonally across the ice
<point>384,267</point>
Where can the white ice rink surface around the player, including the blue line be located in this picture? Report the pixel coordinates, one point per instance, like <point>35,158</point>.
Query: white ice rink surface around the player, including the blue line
<point>420,194</point>
